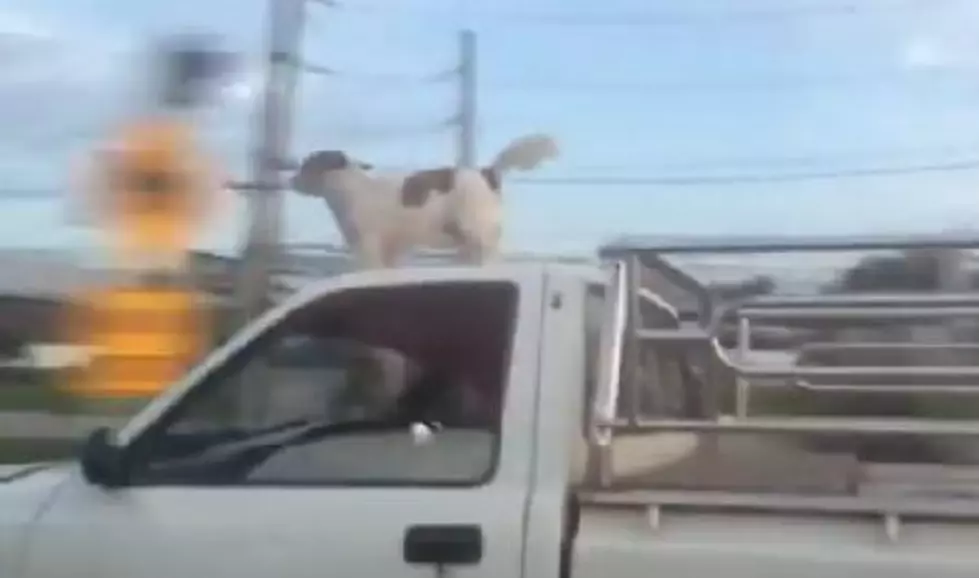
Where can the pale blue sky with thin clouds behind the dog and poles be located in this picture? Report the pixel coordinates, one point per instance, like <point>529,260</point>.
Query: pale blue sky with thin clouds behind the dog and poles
<point>711,109</point>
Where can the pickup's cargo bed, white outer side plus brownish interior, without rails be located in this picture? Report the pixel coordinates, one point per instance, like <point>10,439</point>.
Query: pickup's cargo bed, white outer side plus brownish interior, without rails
<point>752,508</point>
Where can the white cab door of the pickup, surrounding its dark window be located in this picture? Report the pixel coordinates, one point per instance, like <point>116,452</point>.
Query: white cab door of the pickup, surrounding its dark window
<point>305,530</point>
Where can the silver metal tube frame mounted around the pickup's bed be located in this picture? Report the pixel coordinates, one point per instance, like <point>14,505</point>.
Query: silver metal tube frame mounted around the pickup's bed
<point>860,308</point>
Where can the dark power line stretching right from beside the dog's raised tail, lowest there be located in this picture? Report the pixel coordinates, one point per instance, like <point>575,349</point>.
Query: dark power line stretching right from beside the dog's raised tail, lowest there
<point>693,180</point>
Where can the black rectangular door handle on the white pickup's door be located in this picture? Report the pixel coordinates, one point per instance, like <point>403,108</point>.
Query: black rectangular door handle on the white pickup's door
<point>443,544</point>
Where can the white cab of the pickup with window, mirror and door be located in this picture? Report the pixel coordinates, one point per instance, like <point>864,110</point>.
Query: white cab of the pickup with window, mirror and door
<point>253,466</point>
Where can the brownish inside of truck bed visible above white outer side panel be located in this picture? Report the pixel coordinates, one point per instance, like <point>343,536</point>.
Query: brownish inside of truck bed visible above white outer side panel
<point>759,465</point>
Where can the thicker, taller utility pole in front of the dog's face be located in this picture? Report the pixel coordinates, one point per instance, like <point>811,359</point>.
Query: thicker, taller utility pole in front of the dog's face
<point>286,23</point>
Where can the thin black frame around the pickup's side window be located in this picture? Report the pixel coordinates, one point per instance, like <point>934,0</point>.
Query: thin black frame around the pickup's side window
<point>136,449</point>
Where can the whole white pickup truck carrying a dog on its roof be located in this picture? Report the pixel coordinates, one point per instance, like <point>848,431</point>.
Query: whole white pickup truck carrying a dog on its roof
<point>502,455</point>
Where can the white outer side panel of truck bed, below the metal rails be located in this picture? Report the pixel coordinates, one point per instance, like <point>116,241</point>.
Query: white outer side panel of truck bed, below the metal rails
<point>628,542</point>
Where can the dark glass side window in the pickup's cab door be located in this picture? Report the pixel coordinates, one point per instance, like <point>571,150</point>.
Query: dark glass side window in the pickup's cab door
<point>373,386</point>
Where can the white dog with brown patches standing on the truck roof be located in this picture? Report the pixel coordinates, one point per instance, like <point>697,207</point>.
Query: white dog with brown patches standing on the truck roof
<point>384,217</point>
